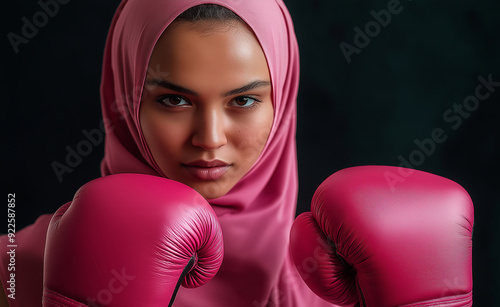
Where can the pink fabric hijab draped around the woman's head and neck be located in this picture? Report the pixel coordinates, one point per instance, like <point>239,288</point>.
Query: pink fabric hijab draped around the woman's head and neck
<point>256,215</point>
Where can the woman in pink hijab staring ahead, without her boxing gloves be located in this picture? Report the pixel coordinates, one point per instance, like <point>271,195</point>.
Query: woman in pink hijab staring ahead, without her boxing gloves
<point>207,98</point>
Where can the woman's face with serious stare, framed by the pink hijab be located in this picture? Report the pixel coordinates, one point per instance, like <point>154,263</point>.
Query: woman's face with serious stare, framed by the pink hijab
<point>206,110</point>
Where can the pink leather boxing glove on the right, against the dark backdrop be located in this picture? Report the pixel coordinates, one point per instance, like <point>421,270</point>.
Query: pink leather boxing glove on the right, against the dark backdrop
<point>365,244</point>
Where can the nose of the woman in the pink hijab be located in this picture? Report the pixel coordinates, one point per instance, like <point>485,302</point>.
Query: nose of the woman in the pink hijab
<point>210,132</point>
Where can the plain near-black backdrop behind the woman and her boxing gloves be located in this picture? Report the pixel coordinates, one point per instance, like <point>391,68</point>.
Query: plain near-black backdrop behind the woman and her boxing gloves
<point>379,80</point>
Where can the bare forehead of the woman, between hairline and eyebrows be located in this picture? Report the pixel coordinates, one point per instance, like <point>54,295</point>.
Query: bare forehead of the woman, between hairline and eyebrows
<point>209,50</point>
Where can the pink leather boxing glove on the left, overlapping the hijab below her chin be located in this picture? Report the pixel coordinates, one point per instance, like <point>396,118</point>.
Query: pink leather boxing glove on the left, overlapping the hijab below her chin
<point>130,240</point>
